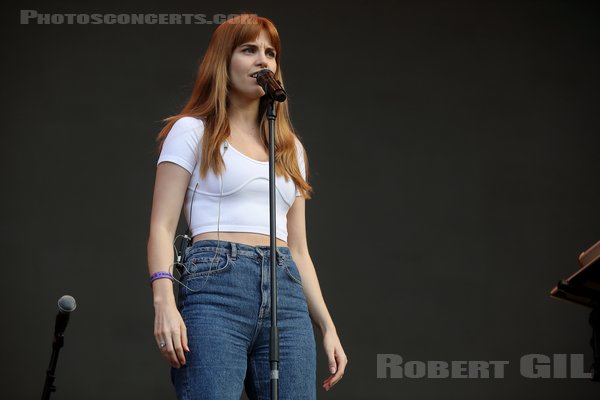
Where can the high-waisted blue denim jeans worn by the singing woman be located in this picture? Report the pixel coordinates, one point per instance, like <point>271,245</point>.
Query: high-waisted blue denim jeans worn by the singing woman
<point>225,302</point>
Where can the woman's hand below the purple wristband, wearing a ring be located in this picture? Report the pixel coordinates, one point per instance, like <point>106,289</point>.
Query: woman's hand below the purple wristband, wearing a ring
<point>170,333</point>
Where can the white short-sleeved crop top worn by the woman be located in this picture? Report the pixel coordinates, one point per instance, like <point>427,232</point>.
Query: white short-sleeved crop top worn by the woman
<point>245,200</point>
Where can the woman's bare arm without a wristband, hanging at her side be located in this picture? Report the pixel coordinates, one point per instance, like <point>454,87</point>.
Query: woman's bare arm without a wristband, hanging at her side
<point>296,224</point>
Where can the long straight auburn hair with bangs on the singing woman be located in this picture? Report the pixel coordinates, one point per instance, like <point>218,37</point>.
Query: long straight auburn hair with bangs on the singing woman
<point>209,101</point>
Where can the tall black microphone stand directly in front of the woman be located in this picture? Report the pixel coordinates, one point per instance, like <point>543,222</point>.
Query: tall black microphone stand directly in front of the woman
<point>274,342</point>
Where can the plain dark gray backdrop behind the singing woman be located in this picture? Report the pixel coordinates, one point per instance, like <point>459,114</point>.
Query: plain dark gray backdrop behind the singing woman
<point>453,150</point>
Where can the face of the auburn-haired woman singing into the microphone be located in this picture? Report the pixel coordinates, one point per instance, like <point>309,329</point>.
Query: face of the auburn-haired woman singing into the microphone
<point>246,60</point>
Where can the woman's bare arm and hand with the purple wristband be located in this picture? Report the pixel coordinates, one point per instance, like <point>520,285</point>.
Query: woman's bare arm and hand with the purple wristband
<point>169,193</point>
